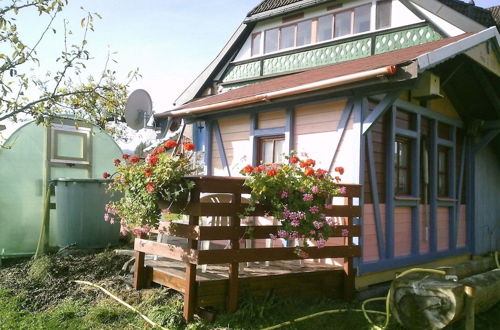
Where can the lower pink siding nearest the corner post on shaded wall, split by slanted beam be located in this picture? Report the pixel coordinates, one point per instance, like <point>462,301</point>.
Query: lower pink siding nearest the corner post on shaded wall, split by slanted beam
<point>370,247</point>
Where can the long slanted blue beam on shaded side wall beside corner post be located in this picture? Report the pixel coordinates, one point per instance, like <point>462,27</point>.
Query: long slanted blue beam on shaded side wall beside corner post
<point>374,194</point>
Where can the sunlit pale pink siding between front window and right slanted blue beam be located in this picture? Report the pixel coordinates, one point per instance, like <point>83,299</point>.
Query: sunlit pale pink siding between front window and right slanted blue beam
<point>315,128</point>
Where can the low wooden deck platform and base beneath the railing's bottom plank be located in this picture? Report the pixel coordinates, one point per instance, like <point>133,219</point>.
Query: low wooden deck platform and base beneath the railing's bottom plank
<point>283,278</point>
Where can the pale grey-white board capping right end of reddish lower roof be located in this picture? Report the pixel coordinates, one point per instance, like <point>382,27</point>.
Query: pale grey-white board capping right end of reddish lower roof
<point>435,57</point>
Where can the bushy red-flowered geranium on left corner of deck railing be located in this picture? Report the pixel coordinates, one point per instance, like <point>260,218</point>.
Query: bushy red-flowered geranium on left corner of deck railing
<point>144,182</point>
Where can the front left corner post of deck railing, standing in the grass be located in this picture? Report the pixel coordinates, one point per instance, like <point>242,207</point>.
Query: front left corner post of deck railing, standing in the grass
<point>190,284</point>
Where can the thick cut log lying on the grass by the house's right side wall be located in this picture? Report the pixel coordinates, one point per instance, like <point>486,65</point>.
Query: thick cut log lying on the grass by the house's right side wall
<point>424,301</point>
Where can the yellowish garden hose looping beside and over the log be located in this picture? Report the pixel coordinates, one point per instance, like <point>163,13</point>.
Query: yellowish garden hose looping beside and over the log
<point>363,309</point>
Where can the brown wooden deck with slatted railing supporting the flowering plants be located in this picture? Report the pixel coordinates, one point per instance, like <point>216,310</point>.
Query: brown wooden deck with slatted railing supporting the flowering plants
<point>221,285</point>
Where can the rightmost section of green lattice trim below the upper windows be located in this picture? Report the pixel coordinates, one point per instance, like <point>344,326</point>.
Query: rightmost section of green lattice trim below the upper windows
<point>404,39</point>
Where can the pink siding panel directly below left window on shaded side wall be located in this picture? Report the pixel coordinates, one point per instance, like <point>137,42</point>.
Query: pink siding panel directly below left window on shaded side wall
<point>402,231</point>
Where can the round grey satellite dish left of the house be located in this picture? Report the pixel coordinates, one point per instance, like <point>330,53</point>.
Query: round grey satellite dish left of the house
<point>139,109</point>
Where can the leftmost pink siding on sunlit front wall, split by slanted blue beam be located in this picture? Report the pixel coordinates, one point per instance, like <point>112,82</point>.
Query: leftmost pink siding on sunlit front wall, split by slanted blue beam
<point>235,133</point>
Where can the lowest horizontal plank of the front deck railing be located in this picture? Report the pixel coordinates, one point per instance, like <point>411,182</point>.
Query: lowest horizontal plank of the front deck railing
<point>271,254</point>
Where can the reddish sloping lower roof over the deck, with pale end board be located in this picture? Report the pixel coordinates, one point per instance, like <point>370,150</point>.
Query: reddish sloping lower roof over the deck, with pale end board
<point>427,55</point>
